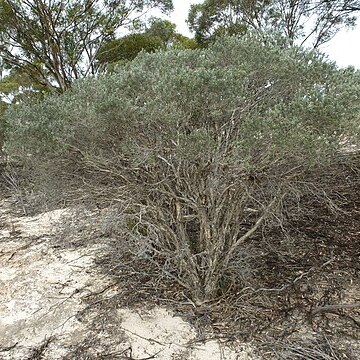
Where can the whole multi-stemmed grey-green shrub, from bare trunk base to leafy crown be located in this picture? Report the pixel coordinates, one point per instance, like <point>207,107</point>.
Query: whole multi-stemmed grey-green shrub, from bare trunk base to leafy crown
<point>193,139</point>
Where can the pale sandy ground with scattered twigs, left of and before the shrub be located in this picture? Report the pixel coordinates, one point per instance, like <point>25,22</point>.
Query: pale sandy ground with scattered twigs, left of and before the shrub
<point>42,288</point>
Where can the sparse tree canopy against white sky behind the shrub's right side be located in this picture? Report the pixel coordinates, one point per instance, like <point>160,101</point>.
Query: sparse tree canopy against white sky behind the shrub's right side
<point>313,22</point>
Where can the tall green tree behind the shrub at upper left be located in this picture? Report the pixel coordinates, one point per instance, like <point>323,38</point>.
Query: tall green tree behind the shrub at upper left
<point>56,41</point>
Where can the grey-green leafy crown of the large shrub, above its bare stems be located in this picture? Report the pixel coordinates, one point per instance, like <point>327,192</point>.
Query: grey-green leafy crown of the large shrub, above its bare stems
<point>270,90</point>
